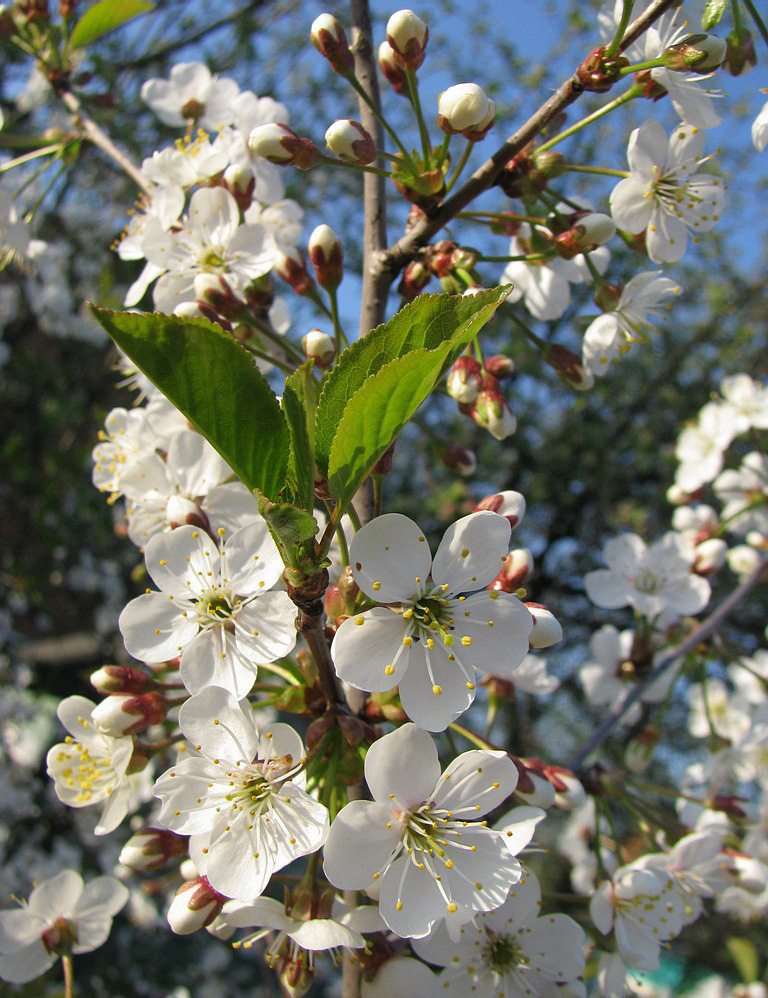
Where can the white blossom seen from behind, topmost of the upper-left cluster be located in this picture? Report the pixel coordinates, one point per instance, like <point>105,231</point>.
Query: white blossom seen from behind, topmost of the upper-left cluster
<point>191,92</point>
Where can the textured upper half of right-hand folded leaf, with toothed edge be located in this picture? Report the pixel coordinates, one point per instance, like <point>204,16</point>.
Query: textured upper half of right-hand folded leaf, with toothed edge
<point>429,322</point>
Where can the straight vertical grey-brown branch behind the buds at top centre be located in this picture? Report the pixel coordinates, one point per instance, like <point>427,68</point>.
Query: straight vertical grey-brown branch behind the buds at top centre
<point>375,279</point>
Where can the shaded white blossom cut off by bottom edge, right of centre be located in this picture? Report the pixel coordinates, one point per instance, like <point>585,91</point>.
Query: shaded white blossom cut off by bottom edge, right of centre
<point>511,951</point>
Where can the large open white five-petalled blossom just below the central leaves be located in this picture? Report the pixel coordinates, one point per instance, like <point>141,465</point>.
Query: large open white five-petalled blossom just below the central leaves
<point>432,642</point>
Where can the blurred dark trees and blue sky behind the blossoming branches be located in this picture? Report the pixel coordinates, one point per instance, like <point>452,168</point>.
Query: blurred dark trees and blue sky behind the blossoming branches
<point>590,465</point>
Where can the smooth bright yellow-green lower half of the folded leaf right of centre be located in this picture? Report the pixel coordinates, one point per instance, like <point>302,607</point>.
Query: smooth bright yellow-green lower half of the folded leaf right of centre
<point>376,414</point>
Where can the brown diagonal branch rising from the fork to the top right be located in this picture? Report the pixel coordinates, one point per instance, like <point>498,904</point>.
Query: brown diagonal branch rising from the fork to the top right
<point>404,250</point>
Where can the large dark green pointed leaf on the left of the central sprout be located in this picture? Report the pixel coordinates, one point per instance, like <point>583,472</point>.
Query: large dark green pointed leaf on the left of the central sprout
<point>215,382</point>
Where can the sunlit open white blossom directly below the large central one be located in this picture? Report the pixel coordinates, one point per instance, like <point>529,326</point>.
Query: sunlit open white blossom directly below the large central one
<point>421,838</point>
